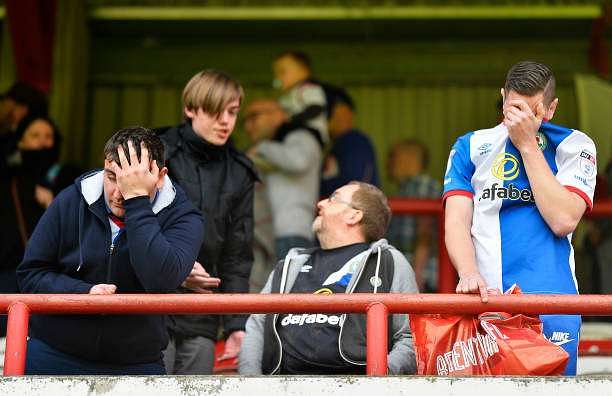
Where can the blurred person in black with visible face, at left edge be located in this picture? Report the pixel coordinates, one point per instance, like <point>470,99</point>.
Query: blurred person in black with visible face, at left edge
<point>30,177</point>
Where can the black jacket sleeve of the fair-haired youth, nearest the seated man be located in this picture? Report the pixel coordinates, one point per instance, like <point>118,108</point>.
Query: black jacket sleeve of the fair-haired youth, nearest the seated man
<point>237,256</point>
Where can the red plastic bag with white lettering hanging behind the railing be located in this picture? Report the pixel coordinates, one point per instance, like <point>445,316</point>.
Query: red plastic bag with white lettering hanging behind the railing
<point>490,344</point>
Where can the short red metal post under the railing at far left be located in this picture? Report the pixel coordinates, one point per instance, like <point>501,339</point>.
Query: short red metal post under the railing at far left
<point>16,339</point>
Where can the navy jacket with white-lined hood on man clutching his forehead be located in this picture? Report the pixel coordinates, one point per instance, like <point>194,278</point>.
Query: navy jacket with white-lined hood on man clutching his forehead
<point>70,251</point>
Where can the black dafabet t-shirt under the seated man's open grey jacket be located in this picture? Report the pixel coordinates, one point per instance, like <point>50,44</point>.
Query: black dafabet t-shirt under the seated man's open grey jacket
<point>310,341</point>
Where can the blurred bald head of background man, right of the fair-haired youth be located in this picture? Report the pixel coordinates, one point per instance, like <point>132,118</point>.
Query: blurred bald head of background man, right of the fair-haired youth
<point>262,118</point>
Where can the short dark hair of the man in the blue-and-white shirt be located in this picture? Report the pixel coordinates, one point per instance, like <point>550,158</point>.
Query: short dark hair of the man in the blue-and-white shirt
<point>529,78</point>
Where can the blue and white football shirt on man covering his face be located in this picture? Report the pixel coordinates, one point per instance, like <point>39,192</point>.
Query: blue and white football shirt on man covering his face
<point>513,243</point>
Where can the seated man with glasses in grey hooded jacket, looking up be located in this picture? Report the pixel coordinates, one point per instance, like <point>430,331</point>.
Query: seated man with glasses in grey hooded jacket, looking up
<point>352,259</point>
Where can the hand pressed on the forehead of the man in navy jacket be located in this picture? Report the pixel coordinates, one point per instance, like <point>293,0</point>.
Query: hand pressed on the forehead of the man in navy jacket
<point>135,178</point>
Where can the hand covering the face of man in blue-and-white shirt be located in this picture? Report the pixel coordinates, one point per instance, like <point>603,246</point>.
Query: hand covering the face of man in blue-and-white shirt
<point>522,123</point>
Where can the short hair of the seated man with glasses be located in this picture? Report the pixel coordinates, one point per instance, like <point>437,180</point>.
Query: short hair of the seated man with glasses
<point>376,212</point>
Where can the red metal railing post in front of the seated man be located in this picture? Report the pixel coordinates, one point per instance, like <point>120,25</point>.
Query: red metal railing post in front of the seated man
<point>376,339</point>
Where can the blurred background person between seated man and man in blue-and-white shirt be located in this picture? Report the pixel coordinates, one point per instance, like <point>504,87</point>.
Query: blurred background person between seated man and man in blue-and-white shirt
<point>415,236</point>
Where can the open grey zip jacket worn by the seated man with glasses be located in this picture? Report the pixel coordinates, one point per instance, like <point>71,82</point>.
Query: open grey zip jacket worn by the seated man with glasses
<point>401,358</point>
